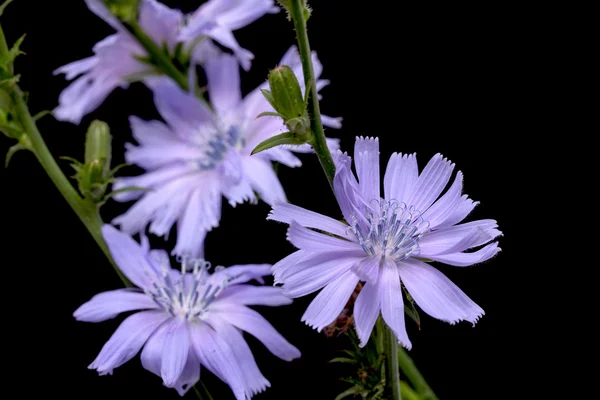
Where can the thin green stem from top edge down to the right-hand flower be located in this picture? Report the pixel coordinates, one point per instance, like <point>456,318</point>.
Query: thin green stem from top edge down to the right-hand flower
<point>319,142</point>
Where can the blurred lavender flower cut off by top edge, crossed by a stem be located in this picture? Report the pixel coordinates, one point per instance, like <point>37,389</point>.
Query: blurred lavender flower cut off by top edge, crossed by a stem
<point>117,59</point>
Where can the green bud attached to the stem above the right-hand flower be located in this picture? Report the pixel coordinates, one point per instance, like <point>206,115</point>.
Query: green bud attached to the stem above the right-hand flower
<point>286,93</point>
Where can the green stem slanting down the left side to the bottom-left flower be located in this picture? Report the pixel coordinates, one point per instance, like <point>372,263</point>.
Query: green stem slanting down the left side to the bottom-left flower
<point>86,211</point>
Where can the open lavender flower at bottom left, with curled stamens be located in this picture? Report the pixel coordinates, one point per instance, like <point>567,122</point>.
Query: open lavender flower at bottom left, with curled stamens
<point>186,318</point>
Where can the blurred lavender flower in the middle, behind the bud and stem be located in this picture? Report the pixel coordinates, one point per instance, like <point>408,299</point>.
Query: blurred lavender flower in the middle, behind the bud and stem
<point>203,153</point>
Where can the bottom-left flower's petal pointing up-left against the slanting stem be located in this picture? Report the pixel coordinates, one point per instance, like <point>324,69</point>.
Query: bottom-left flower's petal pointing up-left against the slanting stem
<point>128,256</point>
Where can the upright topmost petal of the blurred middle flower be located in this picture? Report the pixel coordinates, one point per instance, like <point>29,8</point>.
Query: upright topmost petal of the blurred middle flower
<point>223,76</point>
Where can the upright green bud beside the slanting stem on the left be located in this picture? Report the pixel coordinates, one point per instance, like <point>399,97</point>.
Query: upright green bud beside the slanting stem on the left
<point>98,147</point>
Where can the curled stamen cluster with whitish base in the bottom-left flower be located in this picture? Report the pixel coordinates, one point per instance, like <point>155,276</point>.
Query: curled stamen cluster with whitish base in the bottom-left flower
<point>187,294</point>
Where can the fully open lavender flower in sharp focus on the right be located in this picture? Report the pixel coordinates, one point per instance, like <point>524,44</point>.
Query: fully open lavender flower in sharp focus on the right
<point>385,243</point>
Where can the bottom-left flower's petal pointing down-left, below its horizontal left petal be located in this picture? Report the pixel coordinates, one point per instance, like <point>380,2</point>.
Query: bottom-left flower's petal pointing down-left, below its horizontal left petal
<point>127,340</point>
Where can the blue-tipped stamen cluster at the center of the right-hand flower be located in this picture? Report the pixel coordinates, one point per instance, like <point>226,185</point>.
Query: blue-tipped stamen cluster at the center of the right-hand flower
<point>392,230</point>
